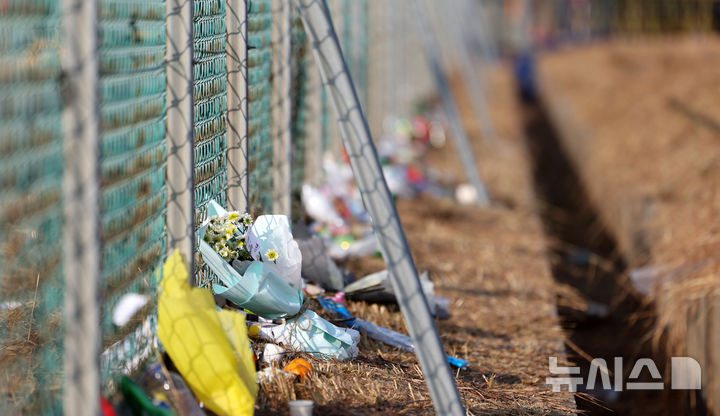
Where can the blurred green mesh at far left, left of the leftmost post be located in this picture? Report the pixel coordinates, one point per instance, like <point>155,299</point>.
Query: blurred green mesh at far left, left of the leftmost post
<point>31,166</point>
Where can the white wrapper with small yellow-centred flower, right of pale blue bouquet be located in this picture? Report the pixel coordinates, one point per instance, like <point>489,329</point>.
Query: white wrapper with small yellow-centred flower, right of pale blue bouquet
<point>272,232</point>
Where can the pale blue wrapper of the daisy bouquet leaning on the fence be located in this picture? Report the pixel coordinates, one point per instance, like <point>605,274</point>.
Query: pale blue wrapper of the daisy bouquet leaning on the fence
<point>261,287</point>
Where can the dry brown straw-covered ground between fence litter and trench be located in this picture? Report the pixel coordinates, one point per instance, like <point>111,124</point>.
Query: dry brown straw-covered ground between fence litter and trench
<point>492,264</point>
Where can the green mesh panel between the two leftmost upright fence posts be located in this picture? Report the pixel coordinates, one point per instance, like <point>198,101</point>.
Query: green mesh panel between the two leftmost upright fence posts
<point>133,153</point>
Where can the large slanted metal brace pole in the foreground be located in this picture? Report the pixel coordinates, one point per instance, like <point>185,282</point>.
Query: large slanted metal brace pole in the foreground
<point>368,172</point>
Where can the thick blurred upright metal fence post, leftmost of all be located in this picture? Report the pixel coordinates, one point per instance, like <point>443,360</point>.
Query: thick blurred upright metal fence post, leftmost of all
<point>81,189</point>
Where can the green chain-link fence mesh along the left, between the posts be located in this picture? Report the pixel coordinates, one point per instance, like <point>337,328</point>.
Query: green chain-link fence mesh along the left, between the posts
<point>134,151</point>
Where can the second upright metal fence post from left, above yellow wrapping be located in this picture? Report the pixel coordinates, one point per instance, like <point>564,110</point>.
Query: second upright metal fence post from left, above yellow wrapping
<point>179,130</point>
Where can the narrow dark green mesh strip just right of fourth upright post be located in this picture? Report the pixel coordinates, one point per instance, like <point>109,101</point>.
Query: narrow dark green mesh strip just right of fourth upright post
<point>300,108</point>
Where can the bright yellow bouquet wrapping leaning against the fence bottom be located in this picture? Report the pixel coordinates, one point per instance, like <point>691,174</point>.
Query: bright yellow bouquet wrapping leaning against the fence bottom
<point>209,347</point>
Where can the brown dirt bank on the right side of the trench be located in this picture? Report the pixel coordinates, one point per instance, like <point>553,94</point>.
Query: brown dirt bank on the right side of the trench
<point>640,120</point>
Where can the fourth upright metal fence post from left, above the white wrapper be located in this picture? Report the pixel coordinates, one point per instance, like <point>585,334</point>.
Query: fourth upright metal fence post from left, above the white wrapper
<point>282,116</point>
